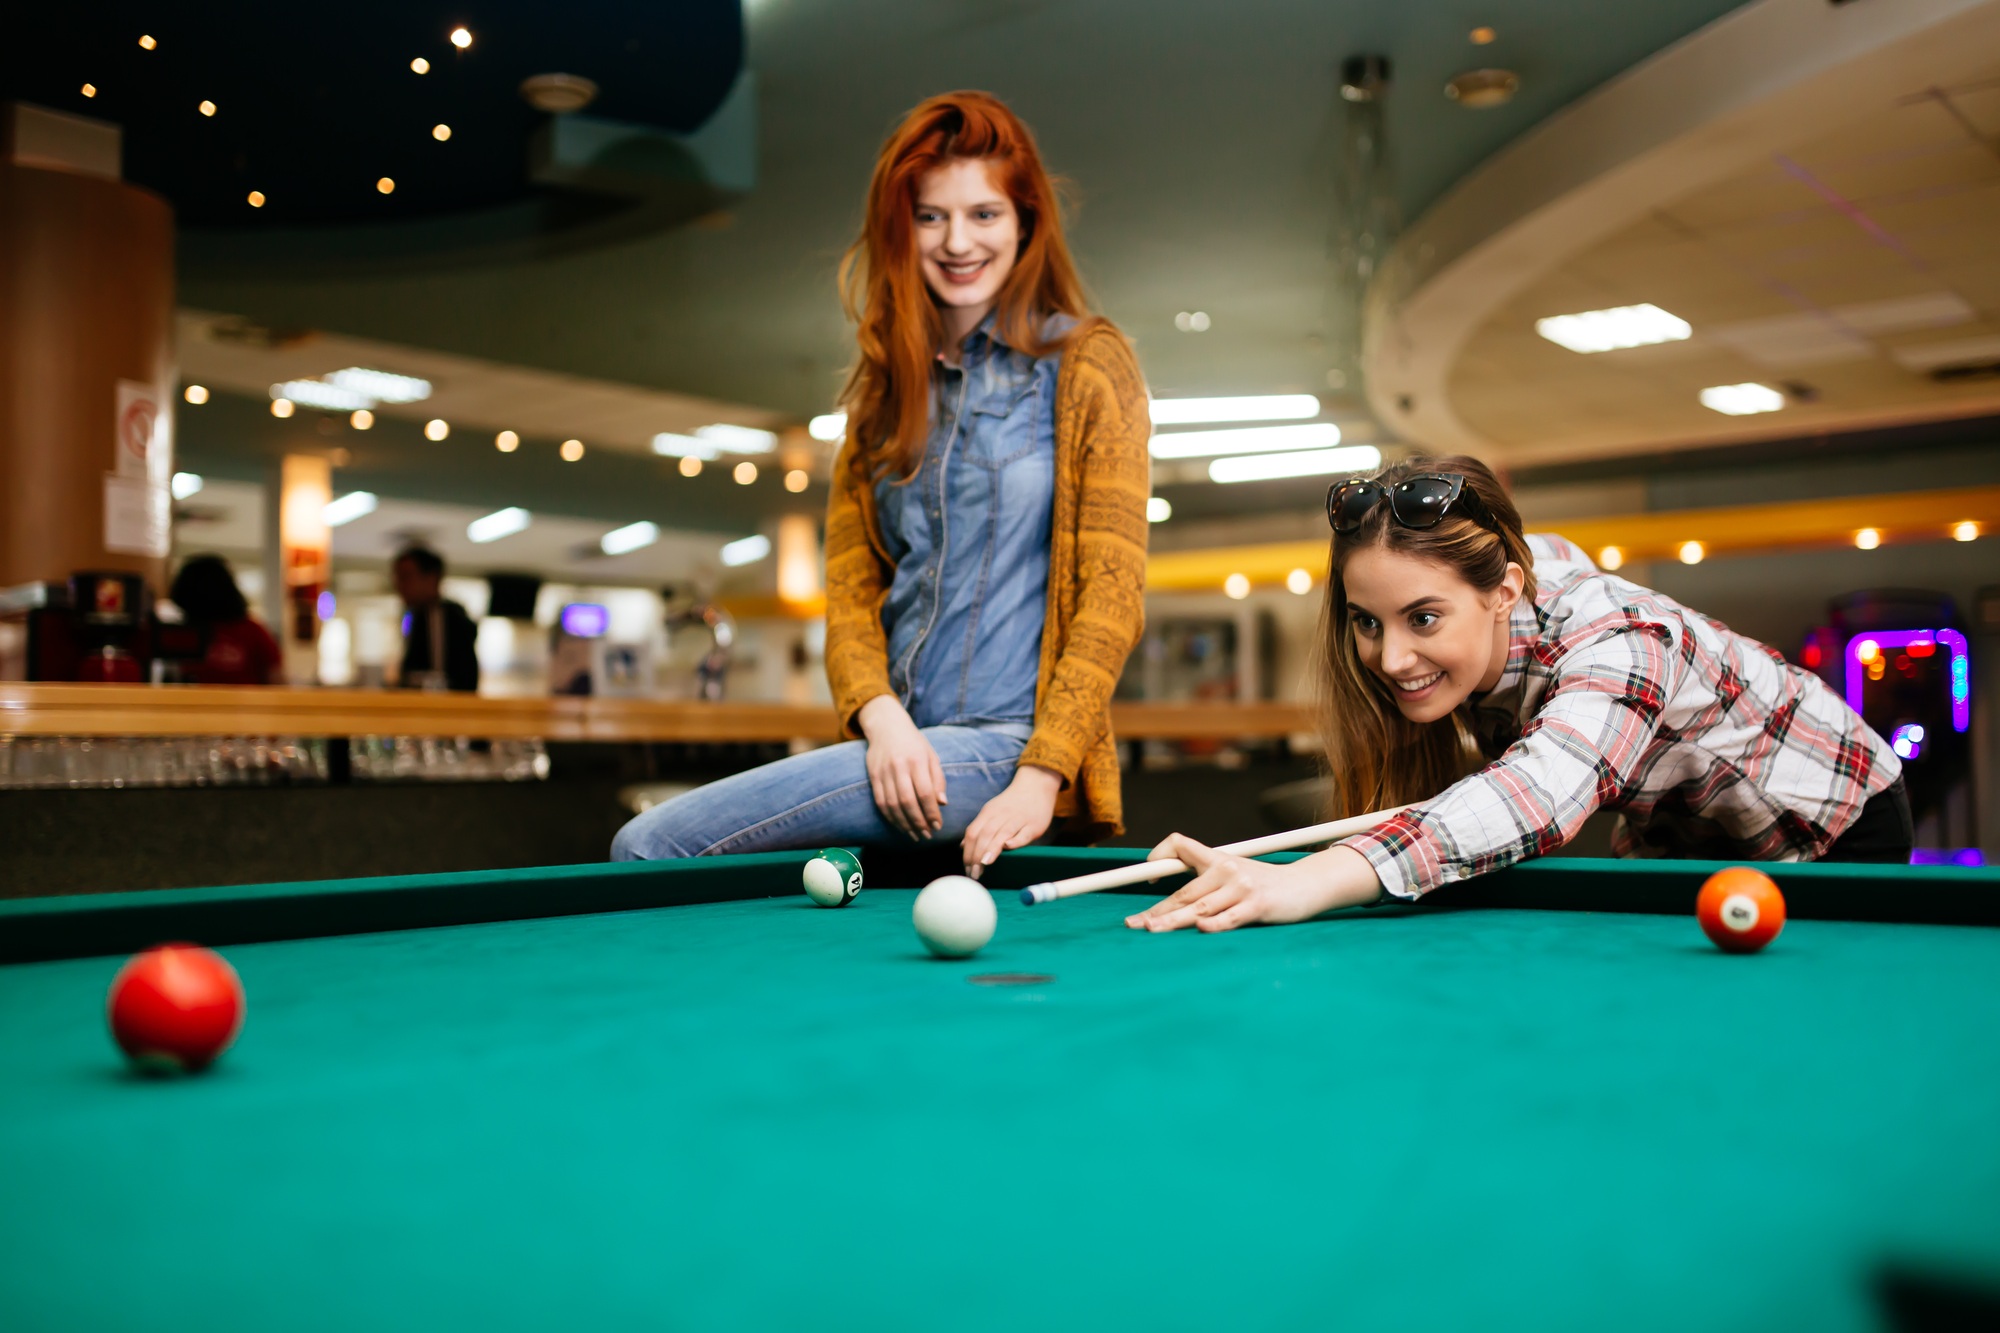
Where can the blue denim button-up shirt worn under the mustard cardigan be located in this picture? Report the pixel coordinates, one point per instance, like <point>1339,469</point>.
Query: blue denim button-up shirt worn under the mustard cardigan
<point>969,537</point>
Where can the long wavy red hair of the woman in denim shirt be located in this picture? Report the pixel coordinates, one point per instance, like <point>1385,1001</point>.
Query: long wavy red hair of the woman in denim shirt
<point>883,287</point>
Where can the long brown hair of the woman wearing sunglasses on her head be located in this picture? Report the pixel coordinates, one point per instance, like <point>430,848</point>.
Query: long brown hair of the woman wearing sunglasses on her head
<point>1375,756</point>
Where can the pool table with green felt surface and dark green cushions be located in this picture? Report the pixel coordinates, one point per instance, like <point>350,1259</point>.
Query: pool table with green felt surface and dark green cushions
<point>679,1096</point>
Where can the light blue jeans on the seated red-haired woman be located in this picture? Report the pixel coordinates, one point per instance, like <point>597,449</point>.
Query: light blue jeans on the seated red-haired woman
<point>819,800</point>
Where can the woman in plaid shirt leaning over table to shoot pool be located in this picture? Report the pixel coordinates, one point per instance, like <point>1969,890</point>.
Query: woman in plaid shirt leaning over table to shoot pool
<point>1507,690</point>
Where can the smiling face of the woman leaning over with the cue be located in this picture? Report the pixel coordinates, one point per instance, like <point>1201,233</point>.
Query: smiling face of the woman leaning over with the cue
<point>1425,631</point>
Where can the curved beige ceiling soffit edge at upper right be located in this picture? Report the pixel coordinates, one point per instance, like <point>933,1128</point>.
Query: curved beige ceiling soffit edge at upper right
<point>1709,107</point>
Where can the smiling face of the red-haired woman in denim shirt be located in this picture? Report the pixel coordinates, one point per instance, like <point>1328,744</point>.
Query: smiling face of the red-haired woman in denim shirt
<point>967,241</point>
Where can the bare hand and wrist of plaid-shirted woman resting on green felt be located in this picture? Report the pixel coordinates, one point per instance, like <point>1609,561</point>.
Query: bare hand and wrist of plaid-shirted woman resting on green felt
<point>1229,892</point>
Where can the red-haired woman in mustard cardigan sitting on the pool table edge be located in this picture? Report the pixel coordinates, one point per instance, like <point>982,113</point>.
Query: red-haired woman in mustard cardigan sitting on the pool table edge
<point>987,529</point>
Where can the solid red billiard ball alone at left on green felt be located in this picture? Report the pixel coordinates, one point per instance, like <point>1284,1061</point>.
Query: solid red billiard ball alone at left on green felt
<point>175,1008</point>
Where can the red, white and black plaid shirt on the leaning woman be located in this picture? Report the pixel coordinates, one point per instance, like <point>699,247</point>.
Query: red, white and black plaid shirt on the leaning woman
<point>1617,698</point>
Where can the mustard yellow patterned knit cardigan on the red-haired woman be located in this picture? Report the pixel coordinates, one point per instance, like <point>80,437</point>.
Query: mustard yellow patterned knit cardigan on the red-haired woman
<point>1097,581</point>
